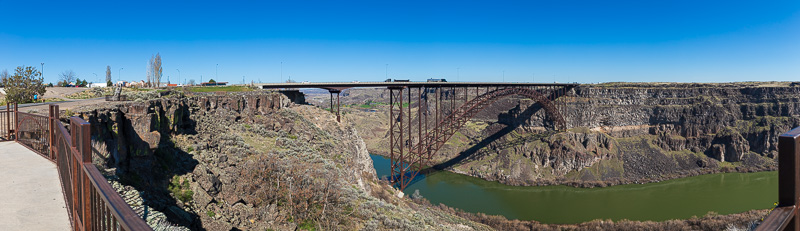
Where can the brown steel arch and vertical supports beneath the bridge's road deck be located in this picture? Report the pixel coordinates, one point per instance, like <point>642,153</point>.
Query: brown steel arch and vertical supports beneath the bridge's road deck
<point>406,163</point>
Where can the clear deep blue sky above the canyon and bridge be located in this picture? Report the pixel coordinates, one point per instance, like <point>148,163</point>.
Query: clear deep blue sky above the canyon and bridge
<point>545,41</point>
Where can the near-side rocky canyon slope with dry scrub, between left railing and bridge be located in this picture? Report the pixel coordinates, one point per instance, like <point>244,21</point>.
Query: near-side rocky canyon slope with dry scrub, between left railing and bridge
<point>248,161</point>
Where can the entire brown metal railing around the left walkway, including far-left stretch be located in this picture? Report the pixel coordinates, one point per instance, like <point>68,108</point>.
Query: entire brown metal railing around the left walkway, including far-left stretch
<point>92,203</point>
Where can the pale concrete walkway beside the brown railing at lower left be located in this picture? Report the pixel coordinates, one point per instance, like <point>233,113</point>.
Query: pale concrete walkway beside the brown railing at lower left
<point>30,193</point>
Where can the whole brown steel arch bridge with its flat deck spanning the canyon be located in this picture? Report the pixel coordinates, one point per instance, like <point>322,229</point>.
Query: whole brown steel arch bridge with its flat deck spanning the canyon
<point>414,137</point>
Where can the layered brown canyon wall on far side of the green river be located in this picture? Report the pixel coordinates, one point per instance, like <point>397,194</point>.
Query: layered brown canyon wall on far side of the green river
<point>618,133</point>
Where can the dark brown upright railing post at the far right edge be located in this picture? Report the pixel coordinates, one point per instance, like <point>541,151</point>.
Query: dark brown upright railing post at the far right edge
<point>789,174</point>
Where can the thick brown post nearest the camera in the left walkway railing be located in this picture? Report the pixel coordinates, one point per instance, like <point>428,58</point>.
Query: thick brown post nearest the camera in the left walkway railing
<point>85,150</point>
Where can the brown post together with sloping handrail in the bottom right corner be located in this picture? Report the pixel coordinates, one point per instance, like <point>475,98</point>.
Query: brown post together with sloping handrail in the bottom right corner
<point>785,215</point>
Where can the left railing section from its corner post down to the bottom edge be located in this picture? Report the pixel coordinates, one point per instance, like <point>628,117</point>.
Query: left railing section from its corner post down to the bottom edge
<point>92,203</point>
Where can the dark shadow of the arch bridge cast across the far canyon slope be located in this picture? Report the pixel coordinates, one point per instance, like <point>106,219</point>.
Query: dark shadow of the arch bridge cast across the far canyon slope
<point>473,152</point>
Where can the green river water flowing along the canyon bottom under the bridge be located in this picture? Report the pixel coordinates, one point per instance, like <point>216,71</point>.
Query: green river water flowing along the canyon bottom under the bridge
<point>683,198</point>
